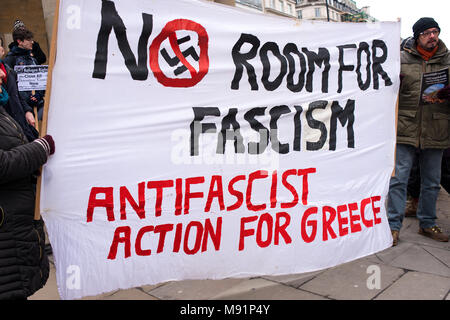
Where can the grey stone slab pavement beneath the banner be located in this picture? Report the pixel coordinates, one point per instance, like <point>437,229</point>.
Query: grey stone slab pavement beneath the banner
<point>418,268</point>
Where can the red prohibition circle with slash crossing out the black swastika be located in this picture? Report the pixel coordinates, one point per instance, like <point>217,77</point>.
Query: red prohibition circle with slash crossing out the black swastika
<point>169,32</point>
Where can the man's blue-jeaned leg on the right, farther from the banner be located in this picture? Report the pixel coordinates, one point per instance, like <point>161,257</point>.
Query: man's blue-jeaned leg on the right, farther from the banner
<point>430,171</point>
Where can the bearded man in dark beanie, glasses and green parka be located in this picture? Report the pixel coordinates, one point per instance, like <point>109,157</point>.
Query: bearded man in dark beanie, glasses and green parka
<point>423,129</point>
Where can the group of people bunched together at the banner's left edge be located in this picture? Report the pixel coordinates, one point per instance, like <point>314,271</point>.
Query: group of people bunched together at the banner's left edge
<point>24,265</point>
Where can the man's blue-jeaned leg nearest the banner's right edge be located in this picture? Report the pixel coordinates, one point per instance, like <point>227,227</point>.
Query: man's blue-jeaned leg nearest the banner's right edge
<point>398,185</point>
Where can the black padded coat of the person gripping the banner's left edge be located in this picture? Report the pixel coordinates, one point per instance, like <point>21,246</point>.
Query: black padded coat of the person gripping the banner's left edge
<point>24,265</point>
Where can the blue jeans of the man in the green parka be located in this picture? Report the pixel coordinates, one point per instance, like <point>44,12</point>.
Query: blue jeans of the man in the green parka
<point>430,177</point>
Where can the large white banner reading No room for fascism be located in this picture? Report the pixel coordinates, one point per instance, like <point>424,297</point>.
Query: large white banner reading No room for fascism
<point>201,141</point>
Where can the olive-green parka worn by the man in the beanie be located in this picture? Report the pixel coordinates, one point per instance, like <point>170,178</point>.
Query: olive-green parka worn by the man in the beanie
<point>422,126</point>
